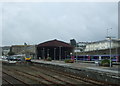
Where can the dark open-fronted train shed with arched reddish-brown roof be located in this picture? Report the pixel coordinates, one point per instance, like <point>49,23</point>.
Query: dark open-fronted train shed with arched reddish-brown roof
<point>55,49</point>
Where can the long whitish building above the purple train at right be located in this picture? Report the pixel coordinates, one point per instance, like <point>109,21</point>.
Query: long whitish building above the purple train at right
<point>102,47</point>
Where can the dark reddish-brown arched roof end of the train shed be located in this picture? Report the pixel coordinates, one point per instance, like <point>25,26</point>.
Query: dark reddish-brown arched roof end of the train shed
<point>54,43</point>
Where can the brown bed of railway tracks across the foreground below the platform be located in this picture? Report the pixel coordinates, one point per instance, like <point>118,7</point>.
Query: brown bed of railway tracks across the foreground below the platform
<point>36,74</point>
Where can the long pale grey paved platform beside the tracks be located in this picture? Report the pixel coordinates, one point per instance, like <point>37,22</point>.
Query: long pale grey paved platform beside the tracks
<point>92,66</point>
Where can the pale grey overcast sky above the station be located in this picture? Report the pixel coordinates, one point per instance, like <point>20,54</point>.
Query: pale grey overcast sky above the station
<point>35,23</point>
